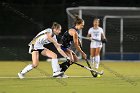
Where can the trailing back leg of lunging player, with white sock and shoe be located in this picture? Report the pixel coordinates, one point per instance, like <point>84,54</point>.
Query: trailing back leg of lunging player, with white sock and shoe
<point>35,62</point>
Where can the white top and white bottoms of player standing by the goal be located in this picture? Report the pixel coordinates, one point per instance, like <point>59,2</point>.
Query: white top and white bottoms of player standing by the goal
<point>95,34</point>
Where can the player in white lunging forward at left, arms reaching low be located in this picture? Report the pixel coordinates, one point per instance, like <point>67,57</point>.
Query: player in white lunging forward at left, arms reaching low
<point>36,47</point>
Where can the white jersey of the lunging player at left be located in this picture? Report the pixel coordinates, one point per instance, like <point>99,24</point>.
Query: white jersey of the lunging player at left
<point>40,40</point>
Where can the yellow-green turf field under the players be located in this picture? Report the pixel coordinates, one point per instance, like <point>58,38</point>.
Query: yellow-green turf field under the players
<point>119,77</point>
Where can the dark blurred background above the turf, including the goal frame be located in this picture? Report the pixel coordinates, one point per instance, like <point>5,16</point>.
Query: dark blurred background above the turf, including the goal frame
<point>21,20</point>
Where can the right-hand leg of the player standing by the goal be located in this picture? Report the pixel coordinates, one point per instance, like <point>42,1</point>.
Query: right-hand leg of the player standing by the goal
<point>97,57</point>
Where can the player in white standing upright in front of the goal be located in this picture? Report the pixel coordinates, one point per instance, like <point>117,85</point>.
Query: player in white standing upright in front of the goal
<point>96,34</point>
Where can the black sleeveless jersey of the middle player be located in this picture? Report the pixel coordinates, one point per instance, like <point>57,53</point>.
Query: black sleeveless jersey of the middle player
<point>67,39</point>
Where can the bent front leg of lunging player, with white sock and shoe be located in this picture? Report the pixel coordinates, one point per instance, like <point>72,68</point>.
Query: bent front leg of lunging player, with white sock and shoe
<point>55,65</point>
